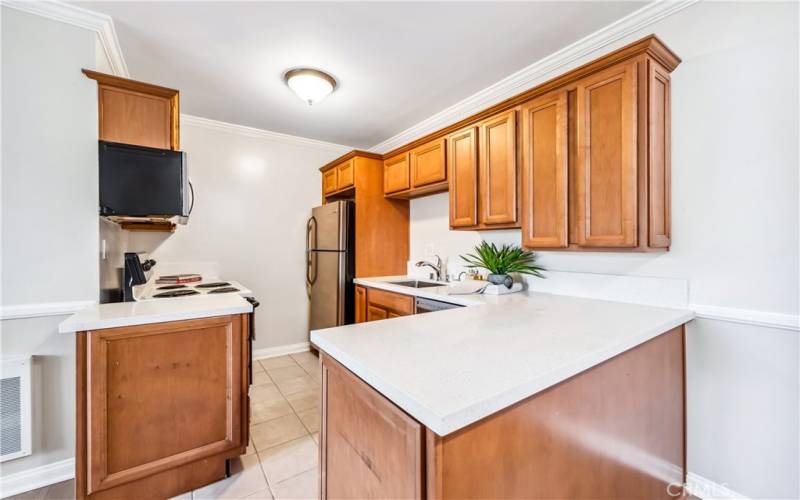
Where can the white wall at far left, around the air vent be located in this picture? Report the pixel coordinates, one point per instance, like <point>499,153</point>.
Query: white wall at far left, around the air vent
<point>49,212</point>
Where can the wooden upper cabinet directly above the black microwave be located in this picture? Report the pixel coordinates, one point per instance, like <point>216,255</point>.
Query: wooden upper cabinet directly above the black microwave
<point>139,113</point>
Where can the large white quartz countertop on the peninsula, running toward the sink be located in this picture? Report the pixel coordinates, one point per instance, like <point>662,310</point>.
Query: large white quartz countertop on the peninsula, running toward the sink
<point>451,368</point>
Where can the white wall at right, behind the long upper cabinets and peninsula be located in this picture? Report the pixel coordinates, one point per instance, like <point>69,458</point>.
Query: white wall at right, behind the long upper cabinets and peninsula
<point>735,235</point>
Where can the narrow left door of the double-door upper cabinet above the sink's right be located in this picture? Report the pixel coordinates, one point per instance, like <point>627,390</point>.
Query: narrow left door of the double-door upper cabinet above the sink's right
<point>462,163</point>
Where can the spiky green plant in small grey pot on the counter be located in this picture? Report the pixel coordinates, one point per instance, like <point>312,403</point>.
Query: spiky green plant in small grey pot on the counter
<point>502,261</point>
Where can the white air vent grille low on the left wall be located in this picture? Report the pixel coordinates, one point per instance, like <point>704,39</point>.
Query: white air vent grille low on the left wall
<point>15,408</point>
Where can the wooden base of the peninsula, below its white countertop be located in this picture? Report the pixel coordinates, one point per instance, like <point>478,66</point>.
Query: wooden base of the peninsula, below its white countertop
<point>614,431</point>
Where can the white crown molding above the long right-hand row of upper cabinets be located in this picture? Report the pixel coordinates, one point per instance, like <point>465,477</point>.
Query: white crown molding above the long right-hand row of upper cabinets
<point>537,72</point>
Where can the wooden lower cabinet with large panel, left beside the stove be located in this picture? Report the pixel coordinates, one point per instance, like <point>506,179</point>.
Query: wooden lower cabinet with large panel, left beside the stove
<point>160,407</point>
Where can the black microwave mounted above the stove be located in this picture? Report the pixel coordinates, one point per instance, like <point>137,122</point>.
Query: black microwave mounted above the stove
<point>139,181</point>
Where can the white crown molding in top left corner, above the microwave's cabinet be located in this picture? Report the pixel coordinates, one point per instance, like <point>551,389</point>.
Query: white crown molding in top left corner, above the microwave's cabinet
<point>101,24</point>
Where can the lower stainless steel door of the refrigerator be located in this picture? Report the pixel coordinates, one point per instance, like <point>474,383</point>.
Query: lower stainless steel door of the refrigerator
<point>327,289</point>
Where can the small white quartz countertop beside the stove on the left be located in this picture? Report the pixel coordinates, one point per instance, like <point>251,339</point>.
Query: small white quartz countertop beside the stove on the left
<point>117,314</point>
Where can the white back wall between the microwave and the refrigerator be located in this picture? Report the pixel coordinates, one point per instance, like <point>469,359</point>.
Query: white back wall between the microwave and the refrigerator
<point>254,195</point>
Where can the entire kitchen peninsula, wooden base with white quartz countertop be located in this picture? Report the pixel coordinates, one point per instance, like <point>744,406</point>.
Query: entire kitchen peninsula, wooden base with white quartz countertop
<point>500,398</point>
